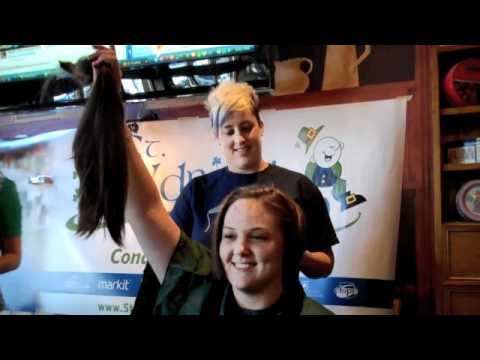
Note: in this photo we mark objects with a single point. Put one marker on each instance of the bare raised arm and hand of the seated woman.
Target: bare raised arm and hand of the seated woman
(156, 232)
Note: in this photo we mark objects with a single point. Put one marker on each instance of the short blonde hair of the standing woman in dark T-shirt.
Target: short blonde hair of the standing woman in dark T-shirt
(231, 96)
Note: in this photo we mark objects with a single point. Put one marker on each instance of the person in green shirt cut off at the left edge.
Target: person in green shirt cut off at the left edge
(10, 228)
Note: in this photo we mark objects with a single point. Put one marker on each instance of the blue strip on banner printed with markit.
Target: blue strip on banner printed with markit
(107, 284)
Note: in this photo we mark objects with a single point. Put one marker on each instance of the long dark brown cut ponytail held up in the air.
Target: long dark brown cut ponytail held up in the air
(99, 152)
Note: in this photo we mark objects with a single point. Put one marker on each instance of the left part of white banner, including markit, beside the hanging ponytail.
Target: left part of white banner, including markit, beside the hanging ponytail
(61, 273)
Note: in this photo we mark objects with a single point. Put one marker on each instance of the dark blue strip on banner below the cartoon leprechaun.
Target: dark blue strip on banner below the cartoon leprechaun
(373, 293)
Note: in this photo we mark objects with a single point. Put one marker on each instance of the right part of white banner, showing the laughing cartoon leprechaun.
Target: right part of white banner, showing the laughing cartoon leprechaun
(354, 154)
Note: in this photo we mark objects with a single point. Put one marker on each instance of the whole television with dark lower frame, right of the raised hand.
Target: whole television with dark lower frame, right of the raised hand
(177, 70)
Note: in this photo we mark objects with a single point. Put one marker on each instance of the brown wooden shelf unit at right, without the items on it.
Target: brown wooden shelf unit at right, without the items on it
(455, 238)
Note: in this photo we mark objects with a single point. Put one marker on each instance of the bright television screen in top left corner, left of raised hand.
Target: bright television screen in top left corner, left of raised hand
(31, 62)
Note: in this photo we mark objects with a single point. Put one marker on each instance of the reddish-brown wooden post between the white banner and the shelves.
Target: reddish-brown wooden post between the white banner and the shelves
(419, 153)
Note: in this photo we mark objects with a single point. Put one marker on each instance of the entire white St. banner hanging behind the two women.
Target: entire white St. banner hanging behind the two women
(353, 152)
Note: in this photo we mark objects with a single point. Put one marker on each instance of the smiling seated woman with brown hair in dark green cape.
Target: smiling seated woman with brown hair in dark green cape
(253, 265)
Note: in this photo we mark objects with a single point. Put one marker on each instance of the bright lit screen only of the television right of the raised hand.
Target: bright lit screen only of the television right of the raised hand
(144, 55)
